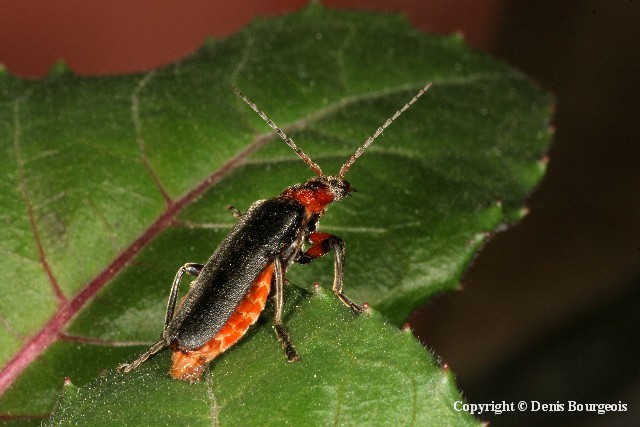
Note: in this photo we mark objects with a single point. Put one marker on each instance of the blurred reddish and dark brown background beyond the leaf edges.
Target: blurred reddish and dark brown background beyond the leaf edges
(550, 310)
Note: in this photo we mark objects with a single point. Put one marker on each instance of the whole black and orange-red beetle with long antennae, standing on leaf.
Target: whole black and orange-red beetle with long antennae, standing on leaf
(230, 290)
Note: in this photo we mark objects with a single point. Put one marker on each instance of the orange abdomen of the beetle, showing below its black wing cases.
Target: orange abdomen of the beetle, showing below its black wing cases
(189, 364)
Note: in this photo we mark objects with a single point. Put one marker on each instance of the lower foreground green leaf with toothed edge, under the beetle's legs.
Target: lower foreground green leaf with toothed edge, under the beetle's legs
(355, 370)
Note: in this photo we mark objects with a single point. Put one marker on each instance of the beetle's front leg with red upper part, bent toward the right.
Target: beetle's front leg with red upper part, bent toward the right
(321, 244)
